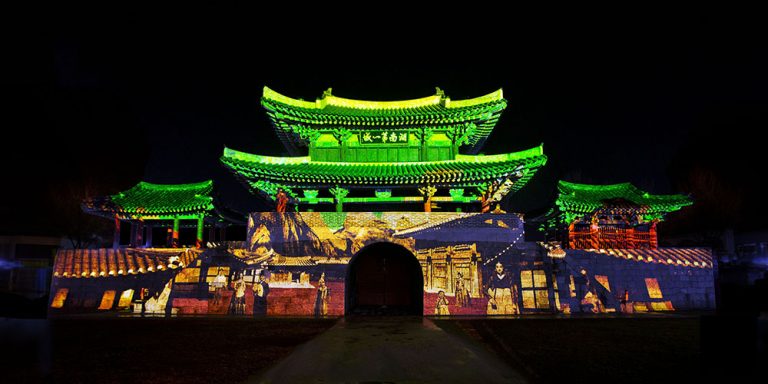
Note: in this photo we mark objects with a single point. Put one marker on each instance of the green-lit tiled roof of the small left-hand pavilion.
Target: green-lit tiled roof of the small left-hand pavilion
(158, 201)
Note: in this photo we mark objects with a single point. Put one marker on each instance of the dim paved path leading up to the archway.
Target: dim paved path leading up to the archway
(389, 350)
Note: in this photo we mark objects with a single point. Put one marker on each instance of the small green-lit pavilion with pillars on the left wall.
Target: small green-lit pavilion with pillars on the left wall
(160, 204)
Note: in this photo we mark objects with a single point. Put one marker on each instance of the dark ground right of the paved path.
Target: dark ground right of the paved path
(646, 349)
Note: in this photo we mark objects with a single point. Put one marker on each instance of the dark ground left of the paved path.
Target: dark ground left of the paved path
(130, 350)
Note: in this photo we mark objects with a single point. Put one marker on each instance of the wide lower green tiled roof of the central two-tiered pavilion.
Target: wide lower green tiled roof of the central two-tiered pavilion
(302, 172)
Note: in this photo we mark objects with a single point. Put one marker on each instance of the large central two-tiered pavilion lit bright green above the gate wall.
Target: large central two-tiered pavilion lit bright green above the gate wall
(413, 151)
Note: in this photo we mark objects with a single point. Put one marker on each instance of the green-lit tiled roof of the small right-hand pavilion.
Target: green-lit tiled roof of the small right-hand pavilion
(584, 198)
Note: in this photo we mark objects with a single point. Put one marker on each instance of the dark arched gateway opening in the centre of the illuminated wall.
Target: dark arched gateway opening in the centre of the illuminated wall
(384, 279)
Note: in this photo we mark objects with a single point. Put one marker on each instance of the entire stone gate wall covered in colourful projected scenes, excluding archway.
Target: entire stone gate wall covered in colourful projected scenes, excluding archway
(332, 264)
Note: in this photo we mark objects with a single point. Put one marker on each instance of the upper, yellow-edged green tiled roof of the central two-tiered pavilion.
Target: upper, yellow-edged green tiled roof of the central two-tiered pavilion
(291, 116)
